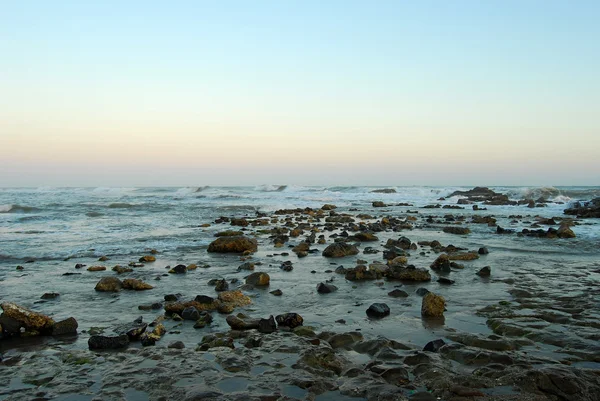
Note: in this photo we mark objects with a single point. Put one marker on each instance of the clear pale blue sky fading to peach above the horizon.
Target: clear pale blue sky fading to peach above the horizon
(149, 93)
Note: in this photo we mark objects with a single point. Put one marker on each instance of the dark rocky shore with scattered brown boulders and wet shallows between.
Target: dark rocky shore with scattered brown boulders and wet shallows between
(395, 268)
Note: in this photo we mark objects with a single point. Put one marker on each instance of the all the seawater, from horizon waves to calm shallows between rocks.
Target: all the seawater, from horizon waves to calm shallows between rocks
(49, 230)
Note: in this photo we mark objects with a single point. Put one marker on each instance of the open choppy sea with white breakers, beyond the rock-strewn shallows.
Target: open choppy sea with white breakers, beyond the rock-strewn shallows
(58, 223)
